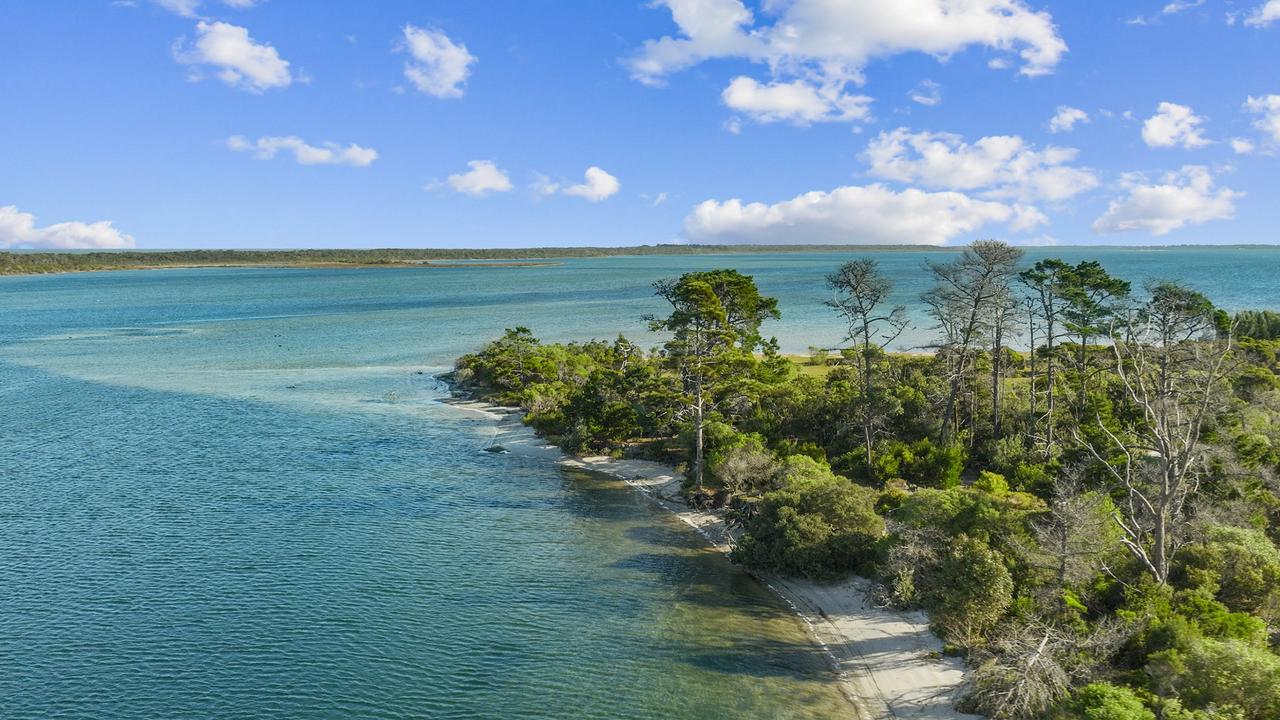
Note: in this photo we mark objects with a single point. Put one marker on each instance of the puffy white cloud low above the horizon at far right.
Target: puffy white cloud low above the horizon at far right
(1180, 199)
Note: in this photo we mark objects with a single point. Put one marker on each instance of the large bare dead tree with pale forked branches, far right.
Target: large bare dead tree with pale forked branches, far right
(1171, 364)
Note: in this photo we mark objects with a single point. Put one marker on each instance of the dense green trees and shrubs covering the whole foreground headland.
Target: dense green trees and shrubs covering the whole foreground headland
(1092, 522)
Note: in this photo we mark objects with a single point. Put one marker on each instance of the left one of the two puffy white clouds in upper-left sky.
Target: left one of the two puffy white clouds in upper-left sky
(239, 60)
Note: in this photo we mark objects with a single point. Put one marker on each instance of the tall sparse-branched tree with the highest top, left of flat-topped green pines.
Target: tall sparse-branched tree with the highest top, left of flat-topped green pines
(963, 300)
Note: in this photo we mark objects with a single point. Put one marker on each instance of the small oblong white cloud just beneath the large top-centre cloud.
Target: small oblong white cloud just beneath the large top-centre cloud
(796, 102)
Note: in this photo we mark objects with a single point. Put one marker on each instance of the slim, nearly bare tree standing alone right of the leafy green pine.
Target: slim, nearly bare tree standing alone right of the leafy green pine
(861, 297)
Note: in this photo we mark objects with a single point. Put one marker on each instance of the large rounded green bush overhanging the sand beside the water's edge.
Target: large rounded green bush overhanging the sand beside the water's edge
(819, 526)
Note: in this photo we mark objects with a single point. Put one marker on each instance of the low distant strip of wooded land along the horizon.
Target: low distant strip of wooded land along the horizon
(31, 263)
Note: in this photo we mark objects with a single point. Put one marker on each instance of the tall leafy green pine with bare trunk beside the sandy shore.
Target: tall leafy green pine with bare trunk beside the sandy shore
(716, 327)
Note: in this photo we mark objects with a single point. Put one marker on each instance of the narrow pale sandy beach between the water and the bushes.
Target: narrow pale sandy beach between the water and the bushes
(889, 663)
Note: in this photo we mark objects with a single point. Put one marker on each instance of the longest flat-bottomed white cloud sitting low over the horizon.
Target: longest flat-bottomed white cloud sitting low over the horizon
(854, 216)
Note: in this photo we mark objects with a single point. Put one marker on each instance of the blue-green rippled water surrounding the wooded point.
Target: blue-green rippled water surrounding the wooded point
(235, 494)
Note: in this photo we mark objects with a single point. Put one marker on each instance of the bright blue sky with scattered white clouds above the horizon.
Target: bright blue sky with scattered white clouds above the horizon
(502, 124)
